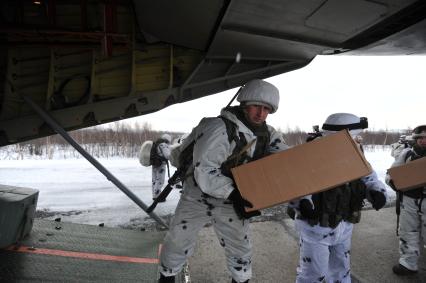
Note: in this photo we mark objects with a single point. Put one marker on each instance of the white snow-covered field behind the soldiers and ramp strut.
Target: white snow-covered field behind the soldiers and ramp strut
(81, 194)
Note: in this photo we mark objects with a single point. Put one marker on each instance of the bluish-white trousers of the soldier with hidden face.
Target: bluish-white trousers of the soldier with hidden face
(324, 253)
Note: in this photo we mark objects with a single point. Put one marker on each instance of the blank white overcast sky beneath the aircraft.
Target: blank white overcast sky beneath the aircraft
(389, 91)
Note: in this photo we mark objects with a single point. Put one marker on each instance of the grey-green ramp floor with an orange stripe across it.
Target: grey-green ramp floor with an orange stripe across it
(66, 252)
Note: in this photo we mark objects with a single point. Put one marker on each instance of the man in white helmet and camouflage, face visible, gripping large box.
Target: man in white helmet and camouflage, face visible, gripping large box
(239, 135)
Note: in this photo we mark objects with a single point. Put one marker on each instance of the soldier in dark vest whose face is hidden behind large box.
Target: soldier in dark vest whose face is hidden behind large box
(325, 220)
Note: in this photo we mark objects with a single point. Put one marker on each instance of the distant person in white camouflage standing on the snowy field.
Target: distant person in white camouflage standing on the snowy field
(160, 154)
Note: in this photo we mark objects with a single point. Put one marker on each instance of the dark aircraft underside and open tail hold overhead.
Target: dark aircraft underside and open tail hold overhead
(92, 62)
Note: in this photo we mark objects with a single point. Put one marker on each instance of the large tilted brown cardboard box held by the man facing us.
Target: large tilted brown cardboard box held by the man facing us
(302, 170)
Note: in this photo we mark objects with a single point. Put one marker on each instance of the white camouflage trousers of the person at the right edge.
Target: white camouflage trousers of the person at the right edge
(412, 230)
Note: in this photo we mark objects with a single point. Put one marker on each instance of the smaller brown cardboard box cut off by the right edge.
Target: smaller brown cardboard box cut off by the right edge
(410, 175)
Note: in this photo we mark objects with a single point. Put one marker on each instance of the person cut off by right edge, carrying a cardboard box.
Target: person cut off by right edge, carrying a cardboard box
(412, 221)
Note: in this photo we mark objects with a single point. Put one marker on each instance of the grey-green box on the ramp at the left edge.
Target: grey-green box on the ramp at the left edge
(17, 209)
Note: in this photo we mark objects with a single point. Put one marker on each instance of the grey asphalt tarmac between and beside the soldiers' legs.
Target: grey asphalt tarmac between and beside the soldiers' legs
(275, 252)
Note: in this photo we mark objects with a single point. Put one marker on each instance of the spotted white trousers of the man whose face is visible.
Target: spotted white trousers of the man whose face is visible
(192, 213)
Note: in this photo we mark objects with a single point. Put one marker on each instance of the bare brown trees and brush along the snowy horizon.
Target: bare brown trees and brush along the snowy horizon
(124, 140)
